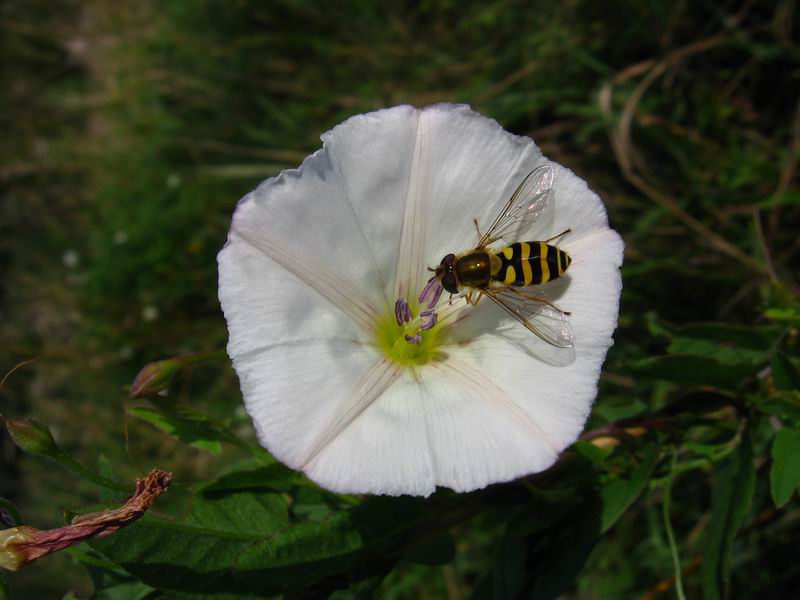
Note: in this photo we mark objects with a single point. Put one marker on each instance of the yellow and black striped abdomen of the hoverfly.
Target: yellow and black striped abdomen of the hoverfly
(530, 263)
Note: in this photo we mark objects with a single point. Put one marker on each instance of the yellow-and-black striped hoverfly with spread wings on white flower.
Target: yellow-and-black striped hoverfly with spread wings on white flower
(498, 273)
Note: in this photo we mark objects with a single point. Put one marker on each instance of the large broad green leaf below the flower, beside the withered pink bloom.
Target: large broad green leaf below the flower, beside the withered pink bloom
(237, 539)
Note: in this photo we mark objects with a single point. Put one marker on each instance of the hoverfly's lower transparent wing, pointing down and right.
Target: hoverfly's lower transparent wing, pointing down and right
(537, 313)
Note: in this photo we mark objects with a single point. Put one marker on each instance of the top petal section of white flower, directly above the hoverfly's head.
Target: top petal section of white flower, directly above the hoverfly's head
(465, 166)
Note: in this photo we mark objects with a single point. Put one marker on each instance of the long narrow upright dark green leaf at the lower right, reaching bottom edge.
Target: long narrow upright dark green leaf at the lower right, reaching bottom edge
(733, 484)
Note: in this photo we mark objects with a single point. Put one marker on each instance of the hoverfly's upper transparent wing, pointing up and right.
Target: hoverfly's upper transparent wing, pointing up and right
(525, 206)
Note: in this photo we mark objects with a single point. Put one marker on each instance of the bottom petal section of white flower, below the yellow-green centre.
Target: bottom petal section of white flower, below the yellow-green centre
(440, 429)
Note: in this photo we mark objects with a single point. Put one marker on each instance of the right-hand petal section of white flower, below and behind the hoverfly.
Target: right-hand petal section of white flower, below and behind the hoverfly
(555, 387)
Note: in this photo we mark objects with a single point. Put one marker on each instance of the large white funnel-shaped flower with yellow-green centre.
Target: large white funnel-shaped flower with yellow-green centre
(314, 263)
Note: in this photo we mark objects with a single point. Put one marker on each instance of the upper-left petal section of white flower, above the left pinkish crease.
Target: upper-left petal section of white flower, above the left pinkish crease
(303, 226)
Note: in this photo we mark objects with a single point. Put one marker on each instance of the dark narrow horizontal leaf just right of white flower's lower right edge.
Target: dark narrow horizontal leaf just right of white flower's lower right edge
(693, 370)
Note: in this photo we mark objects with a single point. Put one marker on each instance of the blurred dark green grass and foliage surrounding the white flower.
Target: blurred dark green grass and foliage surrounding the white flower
(132, 128)
